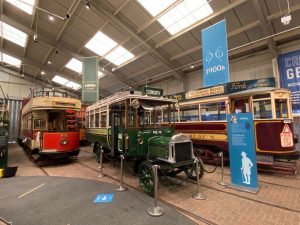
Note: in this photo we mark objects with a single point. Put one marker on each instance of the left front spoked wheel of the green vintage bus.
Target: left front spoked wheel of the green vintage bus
(146, 177)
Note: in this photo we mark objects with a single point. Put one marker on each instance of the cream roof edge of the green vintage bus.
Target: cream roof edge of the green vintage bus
(120, 96)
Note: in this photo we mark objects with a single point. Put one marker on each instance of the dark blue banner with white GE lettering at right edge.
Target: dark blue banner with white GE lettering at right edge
(289, 67)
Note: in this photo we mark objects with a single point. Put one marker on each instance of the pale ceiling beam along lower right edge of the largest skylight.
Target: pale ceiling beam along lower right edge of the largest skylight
(201, 22)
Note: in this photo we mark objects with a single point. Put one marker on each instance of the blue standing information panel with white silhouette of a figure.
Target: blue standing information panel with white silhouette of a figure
(242, 153)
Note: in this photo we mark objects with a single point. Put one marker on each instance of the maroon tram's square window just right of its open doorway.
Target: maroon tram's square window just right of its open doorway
(262, 109)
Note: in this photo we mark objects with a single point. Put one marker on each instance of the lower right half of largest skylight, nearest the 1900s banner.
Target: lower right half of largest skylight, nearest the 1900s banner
(185, 14)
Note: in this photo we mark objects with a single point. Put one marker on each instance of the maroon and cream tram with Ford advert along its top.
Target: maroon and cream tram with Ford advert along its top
(202, 116)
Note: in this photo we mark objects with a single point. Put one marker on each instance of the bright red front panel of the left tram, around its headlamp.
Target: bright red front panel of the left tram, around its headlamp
(52, 141)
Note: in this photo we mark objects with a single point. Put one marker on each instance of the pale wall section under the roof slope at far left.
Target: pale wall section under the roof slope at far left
(15, 87)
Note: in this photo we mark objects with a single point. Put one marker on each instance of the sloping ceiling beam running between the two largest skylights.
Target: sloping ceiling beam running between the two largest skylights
(101, 8)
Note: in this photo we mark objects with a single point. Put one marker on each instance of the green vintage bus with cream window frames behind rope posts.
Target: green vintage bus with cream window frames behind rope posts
(131, 124)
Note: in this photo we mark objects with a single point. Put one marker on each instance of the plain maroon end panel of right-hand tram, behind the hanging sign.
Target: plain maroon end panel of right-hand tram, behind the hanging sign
(268, 136)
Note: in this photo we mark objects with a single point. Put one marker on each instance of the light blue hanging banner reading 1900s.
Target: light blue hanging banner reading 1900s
(215, 55)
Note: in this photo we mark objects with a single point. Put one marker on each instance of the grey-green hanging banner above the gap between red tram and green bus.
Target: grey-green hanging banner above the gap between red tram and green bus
(90, 81)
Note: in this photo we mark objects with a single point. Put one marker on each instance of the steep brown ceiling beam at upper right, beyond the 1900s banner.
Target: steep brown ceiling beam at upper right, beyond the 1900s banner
(264, 26)
